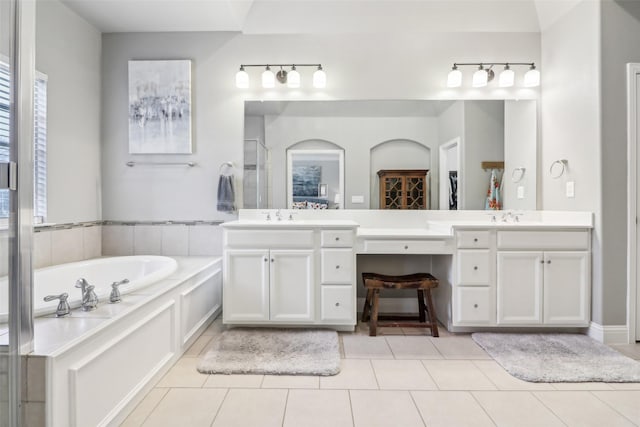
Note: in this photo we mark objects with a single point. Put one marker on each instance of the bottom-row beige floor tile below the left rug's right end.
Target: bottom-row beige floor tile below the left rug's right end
(318, 408)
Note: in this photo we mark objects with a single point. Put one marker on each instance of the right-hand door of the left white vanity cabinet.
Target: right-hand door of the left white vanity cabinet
(292, 287)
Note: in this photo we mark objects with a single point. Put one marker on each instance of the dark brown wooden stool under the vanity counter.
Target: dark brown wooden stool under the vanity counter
(423, 282)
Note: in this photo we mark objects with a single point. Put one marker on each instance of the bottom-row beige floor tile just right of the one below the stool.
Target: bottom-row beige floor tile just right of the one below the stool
(450, 408)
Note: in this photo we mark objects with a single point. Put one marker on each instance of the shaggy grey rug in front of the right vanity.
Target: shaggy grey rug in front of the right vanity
(558, 358)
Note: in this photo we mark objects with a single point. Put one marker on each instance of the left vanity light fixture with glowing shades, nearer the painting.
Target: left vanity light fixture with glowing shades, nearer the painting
(289, 77)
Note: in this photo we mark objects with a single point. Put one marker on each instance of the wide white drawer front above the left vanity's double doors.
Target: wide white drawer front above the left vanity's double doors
(258, 239)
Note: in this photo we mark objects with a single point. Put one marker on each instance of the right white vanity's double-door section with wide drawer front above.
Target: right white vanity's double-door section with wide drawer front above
(543, 278)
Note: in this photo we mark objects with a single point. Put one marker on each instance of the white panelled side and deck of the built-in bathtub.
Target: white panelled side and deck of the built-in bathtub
(93, 367)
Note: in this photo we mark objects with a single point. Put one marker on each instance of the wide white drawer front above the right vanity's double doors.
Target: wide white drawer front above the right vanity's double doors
(543, 240)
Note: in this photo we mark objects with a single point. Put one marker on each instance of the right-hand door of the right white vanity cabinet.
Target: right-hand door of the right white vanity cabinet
(566, 288)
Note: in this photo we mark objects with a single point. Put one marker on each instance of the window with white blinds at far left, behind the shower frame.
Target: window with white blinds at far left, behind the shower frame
(40, 141)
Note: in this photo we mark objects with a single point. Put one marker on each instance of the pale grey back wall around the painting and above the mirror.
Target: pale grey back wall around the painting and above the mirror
(162, 193)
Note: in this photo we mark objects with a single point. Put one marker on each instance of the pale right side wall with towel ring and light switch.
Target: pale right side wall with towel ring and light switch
(570, 123)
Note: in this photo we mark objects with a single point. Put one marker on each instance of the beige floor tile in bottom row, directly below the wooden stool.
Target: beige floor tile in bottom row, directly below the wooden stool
(384, 409)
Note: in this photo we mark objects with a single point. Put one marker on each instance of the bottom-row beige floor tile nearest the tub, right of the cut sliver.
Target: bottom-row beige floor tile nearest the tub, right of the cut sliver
(186, 407)
